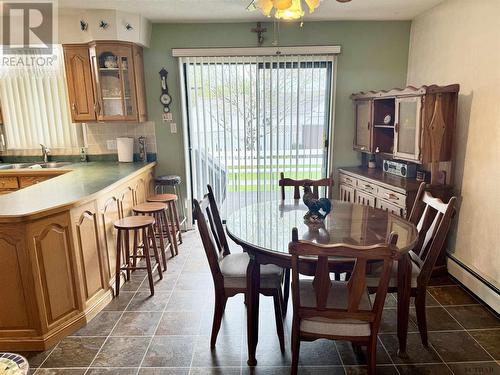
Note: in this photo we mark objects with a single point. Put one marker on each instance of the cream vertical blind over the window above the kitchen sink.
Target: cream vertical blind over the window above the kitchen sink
(35, 106)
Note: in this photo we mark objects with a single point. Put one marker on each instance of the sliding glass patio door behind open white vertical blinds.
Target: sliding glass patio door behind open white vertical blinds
(250, 118)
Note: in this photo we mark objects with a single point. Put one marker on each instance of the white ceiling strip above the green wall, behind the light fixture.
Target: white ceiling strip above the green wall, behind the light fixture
(235, 10)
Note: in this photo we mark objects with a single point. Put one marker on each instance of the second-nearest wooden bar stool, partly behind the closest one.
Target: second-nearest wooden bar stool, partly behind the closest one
(157, 211)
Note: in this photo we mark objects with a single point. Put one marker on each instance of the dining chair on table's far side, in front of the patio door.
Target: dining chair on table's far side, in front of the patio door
(297, 184)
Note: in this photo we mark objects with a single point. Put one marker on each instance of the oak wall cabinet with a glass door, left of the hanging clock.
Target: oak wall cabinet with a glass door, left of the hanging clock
(105, 81)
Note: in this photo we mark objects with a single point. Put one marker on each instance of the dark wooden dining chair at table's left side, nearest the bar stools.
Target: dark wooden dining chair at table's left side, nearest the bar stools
(229, 270)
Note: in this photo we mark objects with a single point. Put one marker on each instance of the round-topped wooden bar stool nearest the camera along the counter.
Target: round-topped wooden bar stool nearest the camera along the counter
(144, 224)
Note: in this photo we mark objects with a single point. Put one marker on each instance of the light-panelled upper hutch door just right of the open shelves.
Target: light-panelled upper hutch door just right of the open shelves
(407, 128)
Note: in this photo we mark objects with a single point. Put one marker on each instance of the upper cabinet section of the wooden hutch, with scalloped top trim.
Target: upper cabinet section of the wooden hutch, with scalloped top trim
(399, 122)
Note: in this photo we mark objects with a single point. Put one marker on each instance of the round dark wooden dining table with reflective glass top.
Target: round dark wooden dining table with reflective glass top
(264, 230)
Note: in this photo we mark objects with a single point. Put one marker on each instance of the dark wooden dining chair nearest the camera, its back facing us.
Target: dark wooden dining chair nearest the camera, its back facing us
(338, 310)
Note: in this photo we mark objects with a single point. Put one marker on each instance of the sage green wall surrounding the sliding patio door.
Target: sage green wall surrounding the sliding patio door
(374, 56)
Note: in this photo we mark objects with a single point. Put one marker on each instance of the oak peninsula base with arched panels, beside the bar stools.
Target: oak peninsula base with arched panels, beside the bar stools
(58, 263)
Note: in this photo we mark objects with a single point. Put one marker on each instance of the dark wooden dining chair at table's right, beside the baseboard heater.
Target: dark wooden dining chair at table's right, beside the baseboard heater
(432, 218)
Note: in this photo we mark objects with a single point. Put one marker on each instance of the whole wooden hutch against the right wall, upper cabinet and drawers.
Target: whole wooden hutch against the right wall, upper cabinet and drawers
(414, 125)
